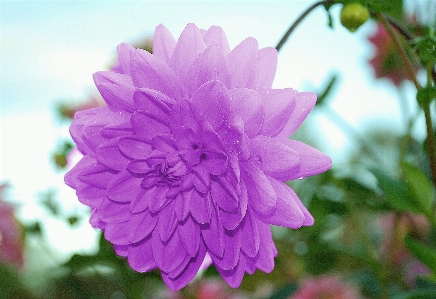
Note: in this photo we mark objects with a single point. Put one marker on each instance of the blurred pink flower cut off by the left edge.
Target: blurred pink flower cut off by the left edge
(11, 234)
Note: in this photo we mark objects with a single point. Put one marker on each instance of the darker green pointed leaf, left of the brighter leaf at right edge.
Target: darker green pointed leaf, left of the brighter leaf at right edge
(396, 192)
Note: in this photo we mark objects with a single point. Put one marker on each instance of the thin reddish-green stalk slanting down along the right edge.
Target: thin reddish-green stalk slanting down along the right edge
(409, 68)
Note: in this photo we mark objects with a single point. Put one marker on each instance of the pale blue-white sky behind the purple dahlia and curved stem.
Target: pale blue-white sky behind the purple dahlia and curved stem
(50, 49)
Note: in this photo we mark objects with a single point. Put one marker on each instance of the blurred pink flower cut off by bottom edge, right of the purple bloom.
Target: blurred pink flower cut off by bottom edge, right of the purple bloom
(325, 287)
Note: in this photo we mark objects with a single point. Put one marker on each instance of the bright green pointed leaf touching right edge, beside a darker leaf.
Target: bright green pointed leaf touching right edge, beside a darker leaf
(421, 189)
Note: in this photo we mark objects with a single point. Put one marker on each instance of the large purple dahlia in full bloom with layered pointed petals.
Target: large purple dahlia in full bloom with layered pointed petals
(190, 156)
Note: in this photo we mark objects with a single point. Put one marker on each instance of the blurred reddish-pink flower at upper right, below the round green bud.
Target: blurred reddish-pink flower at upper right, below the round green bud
(387, 62)
